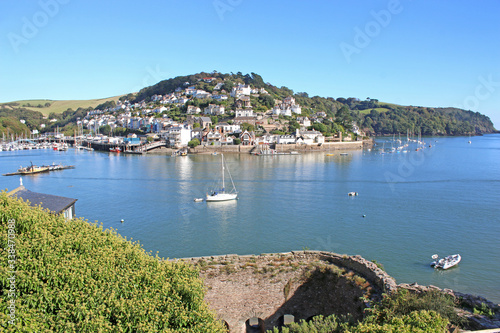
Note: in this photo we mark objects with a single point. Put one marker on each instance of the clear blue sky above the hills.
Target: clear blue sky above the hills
(427, 53)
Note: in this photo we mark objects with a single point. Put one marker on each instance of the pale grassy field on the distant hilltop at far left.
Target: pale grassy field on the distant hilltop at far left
(60, 106)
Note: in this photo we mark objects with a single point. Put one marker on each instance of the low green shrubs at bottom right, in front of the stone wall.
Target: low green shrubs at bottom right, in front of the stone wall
(401, 312)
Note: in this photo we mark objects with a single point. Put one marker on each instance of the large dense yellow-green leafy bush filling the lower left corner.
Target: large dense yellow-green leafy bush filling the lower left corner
(73, 276)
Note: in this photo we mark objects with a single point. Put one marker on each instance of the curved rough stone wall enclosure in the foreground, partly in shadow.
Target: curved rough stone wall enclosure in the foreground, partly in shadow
(299, 283)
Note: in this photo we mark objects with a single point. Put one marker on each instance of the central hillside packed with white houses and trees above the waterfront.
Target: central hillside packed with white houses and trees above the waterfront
(217, 109)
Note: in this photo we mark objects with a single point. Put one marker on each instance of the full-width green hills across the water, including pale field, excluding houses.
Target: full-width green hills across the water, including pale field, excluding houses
(332, 114)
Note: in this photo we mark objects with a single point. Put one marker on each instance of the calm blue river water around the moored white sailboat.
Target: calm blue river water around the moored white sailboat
(444, 199)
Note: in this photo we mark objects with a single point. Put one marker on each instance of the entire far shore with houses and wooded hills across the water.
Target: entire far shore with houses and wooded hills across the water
(235, 109)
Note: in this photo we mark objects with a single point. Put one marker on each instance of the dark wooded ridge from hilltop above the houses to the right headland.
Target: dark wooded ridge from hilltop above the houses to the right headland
(372, 116)
